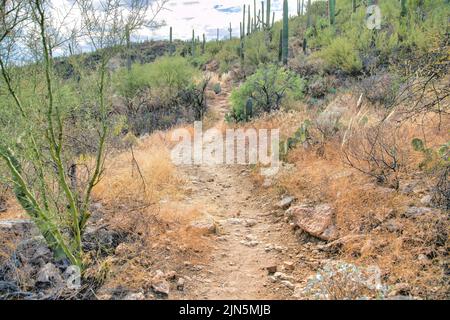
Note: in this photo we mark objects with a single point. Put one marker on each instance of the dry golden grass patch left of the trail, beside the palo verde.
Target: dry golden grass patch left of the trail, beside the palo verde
(152, 215)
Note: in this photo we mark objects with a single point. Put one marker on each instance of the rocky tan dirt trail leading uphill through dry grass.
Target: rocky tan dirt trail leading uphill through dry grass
(250, 237)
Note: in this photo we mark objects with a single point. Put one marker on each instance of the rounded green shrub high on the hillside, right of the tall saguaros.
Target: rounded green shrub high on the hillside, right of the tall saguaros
(342, 55)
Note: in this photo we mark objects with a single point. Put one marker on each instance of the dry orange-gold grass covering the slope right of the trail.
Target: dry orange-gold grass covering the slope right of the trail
(413, 254)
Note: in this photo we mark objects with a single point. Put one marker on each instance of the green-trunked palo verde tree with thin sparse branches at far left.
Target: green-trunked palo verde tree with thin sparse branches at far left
(36, 148)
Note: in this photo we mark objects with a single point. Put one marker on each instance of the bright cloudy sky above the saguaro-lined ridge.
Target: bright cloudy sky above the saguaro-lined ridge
(204, 16)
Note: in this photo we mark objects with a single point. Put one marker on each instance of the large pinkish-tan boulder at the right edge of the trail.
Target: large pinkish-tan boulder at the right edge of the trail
(317, 221)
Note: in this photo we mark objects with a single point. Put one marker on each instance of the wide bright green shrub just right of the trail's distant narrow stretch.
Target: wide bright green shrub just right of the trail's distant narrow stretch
(266, 88)
